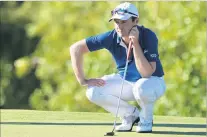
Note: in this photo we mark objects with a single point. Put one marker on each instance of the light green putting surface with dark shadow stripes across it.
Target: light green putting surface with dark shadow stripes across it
(31, 123)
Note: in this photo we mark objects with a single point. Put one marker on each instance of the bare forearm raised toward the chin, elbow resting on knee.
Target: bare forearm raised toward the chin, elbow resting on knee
(144, 67)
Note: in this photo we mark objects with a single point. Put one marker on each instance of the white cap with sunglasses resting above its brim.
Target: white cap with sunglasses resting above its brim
(124, 11)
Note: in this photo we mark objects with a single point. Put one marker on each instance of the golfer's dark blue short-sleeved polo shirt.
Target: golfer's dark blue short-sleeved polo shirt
(113, 43)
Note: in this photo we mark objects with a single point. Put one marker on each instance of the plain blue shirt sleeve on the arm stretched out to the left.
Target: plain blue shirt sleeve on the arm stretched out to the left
(100, 41)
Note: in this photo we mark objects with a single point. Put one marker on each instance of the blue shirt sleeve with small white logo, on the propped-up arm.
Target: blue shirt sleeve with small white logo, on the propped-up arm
(151, 46)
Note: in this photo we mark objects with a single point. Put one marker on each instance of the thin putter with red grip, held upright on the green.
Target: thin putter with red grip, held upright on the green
(122, 85)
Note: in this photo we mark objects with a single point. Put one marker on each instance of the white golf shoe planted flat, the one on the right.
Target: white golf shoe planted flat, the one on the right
(144, 127)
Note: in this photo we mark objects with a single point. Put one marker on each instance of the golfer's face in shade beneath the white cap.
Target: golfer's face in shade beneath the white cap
(123, 27)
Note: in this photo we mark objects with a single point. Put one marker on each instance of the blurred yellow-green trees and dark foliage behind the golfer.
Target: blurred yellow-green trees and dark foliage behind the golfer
(36, 71)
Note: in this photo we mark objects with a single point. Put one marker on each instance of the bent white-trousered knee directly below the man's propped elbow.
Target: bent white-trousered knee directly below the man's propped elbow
(143, 91)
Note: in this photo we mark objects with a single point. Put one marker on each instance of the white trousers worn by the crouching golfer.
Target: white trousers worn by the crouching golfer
(145, 92)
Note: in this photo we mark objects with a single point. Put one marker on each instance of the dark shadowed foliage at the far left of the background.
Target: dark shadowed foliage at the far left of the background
(17, 76)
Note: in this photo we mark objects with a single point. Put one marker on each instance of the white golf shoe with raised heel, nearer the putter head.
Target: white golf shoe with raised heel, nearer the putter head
(128, 122)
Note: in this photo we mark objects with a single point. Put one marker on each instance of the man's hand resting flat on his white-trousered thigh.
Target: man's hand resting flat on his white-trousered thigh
(93, 82)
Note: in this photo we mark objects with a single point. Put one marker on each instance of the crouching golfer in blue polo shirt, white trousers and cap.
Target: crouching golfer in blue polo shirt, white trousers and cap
(144, 82)
